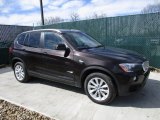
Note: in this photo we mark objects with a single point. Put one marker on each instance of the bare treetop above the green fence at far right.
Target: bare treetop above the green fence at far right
(151, 9)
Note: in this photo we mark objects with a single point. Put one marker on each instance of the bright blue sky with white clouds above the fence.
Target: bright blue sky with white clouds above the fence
(27, 12)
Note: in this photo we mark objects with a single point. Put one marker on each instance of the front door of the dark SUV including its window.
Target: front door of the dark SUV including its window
(55, 65)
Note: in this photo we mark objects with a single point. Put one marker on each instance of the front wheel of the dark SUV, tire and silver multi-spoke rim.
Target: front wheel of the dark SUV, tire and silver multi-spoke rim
(102, 92)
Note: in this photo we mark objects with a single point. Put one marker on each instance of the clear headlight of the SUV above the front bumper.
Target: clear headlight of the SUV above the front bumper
(128, 67)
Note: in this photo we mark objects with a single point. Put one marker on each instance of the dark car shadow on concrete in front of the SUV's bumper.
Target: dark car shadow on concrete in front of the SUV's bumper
(148, 97)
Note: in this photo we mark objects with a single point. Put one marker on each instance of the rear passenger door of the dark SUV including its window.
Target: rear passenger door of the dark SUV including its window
(33, 52)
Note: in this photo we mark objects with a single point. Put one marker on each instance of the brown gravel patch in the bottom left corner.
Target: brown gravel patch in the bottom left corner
(9, 111)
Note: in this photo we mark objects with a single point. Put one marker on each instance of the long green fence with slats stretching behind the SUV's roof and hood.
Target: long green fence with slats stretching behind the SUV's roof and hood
(140, 33)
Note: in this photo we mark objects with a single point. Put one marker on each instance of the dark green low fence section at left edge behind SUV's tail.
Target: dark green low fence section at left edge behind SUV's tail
(4, 57)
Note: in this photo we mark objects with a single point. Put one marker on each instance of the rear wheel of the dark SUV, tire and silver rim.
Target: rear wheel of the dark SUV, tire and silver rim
(20, 72)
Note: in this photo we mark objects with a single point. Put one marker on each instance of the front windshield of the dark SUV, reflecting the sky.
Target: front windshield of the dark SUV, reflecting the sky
(81, 40)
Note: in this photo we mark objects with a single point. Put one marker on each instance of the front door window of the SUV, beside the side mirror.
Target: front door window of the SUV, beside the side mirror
(51, 40)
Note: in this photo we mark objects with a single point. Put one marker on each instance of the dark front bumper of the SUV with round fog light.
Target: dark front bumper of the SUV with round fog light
(126, 84)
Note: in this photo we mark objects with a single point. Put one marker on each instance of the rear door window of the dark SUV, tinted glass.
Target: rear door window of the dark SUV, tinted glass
(34, 39)
